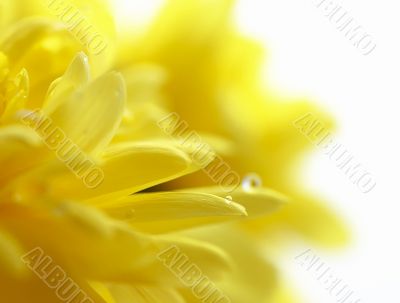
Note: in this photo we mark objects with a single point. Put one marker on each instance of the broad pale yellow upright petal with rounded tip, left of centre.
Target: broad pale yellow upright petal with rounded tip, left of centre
(89, 117)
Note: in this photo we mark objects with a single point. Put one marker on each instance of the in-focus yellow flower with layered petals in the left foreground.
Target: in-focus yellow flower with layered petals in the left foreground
(93, 233)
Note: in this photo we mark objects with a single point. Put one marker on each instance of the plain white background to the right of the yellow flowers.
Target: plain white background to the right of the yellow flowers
(308, 56)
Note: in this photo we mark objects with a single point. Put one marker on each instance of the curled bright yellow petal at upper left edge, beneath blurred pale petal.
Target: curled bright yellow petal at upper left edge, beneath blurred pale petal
(34, 43)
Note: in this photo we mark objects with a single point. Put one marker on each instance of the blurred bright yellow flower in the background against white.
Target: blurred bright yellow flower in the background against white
(211, 78)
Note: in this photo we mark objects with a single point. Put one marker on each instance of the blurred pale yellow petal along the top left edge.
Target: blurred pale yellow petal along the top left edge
(84, 19)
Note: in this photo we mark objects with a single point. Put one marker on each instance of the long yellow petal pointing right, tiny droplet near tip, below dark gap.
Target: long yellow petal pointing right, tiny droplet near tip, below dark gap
(164, 212)
